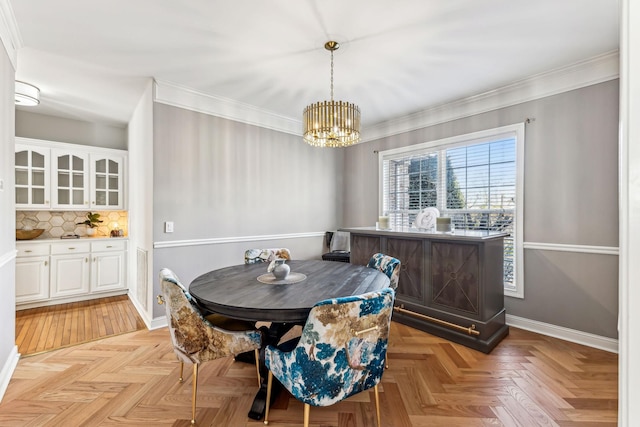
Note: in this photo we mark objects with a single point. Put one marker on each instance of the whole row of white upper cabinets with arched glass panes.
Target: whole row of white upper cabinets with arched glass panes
(55, 175)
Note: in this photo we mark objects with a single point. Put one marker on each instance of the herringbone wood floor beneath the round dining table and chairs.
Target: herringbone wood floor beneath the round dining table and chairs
(132, 380)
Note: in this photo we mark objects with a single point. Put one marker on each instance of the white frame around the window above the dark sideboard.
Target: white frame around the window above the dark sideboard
(511, 131)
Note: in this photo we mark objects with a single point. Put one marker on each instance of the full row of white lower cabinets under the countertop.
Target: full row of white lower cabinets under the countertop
(52, 272)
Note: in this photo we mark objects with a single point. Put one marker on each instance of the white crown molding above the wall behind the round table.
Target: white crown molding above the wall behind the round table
(183, 97)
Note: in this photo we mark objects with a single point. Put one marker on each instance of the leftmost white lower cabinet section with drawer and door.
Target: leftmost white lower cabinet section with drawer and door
(32, 273)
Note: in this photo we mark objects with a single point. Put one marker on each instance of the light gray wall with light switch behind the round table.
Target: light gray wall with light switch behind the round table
(216, 178)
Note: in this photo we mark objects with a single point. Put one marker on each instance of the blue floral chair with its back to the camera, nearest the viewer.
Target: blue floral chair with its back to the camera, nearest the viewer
(341, 352)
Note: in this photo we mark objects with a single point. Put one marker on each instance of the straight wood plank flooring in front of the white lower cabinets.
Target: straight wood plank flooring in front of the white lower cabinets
(57, 326)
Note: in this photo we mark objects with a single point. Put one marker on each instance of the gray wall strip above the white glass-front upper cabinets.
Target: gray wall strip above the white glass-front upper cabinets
(40, 126)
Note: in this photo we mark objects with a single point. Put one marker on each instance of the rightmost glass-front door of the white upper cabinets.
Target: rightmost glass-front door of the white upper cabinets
(107, 182)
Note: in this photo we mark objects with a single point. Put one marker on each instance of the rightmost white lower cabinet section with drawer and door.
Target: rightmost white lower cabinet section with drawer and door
(107, 265)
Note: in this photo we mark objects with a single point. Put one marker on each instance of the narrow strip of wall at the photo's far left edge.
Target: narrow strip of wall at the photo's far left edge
(7, 216)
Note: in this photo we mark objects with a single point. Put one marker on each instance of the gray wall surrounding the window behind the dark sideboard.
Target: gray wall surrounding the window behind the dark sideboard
(571, 198)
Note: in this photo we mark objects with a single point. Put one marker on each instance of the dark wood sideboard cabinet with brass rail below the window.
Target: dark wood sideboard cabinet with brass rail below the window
(451, 285)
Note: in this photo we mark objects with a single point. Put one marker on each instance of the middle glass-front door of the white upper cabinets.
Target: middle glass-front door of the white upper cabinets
(70, 179)
